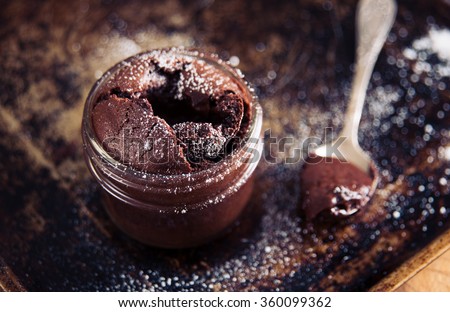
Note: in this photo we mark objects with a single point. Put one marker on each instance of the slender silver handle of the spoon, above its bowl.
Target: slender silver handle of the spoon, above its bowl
(374, 19)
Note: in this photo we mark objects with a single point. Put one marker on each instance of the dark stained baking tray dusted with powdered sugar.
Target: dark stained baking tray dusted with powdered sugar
(54, 232)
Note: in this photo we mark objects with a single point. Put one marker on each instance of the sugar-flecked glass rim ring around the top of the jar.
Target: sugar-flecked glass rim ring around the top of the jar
(117, 170)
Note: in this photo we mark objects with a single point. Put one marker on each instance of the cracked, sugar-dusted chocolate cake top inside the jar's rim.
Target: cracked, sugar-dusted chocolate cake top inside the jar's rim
(169, 113)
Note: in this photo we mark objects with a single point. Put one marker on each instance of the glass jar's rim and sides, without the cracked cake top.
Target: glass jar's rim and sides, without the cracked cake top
(176, 210)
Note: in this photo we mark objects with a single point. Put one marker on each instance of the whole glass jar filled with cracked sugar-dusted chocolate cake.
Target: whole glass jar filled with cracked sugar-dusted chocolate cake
(177, 125)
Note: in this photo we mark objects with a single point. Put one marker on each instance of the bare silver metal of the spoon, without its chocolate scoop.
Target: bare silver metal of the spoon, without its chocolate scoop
(374, 19)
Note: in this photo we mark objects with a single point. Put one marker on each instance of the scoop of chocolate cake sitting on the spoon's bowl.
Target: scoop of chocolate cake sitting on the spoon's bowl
(332, 185)
